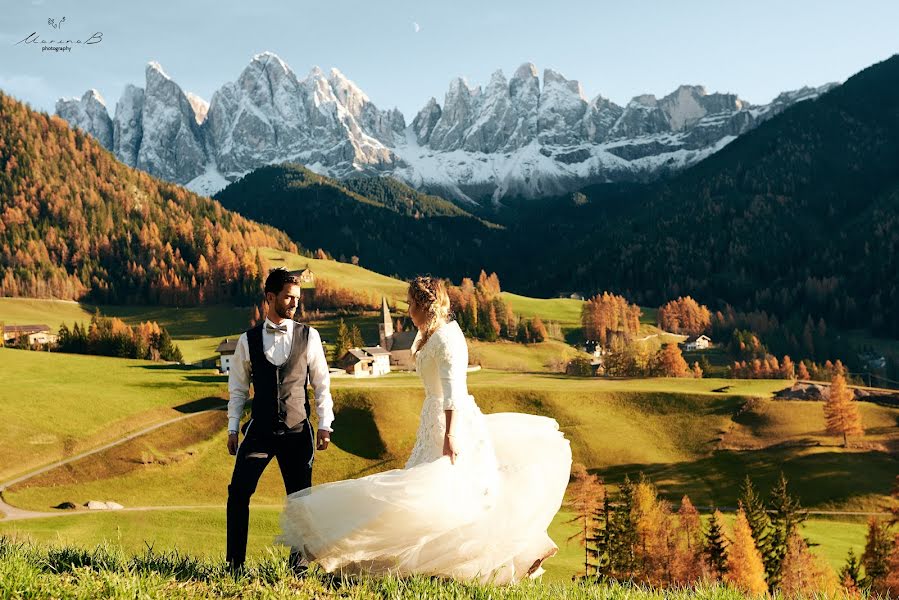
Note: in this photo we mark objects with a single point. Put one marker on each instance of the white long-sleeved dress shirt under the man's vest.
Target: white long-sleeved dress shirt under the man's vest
(277, 348)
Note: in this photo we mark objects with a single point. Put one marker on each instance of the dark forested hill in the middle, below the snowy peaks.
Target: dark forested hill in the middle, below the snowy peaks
(390, 227)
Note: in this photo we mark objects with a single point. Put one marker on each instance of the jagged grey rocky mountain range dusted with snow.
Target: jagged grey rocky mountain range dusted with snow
(516, 137)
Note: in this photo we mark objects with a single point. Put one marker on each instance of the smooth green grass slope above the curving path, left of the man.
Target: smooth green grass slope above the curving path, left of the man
(58, 405)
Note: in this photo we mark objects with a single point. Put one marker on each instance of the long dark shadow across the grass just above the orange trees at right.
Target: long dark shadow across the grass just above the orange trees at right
(831, 478)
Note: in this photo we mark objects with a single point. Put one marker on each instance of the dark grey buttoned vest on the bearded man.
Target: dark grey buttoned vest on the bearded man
(279, 401)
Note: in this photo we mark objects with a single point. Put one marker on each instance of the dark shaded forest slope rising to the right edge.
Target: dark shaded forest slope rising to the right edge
(798, 216)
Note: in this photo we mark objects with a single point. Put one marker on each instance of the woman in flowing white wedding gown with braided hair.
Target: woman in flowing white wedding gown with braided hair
(475, 498)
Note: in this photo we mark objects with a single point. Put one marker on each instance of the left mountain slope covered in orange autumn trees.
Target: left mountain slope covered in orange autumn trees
(75, 223)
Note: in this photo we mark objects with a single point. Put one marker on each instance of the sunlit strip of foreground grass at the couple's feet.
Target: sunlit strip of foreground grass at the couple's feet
(29, 570)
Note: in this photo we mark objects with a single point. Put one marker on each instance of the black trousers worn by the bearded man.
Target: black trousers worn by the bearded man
(294, 450)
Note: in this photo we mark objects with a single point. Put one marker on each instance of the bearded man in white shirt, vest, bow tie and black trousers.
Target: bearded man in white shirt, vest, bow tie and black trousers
(279, 356)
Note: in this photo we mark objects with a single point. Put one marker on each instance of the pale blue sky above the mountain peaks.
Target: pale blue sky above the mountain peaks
(403, 52)
